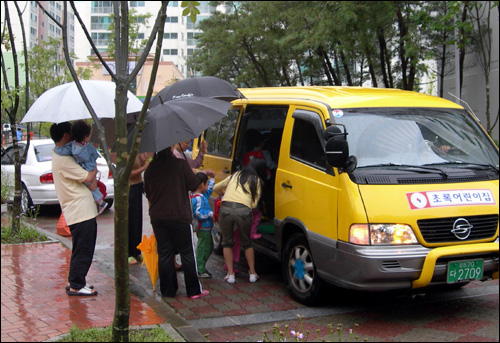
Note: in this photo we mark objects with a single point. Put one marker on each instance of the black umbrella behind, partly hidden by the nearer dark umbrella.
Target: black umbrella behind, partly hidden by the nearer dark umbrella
(205, 87)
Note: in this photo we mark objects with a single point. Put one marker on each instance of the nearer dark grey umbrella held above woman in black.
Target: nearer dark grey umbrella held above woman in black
(180, 120)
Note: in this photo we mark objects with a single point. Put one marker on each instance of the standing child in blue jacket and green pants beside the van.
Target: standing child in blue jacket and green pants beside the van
(204, 214)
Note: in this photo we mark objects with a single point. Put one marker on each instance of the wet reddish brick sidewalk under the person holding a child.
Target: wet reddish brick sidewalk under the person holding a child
(35, 306)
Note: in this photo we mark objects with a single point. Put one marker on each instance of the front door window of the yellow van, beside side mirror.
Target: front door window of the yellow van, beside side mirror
(305, 145)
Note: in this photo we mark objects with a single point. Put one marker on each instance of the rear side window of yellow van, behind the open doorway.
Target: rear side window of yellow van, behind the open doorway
(220, 135)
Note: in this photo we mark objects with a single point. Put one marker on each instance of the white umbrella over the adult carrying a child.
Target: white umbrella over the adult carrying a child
(64, 103)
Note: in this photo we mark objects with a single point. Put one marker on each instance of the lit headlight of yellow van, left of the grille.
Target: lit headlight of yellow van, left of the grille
(381, 234)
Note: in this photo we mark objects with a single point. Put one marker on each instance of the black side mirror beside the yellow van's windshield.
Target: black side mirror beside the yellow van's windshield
(337, 149)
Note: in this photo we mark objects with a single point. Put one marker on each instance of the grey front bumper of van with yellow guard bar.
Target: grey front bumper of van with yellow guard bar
(382, 268)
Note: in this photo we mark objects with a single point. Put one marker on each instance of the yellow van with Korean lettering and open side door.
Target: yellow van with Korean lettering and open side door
(368, 189)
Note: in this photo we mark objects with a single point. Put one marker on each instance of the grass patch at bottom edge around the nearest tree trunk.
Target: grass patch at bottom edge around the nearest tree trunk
(156, 334)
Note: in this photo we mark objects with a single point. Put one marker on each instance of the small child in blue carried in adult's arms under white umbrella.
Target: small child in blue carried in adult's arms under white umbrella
(85, 155)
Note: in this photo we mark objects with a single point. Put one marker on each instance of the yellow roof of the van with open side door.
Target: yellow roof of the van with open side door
(350, 97)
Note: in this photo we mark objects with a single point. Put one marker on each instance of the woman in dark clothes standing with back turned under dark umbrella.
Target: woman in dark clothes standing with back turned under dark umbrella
(167, 182)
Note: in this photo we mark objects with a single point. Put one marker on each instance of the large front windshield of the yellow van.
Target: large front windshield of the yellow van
(415, 136)
